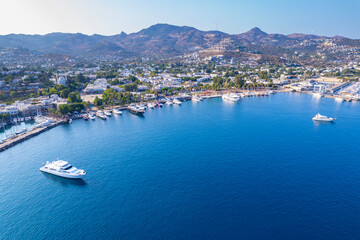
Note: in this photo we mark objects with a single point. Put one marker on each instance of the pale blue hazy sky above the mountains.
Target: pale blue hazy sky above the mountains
(108, 17)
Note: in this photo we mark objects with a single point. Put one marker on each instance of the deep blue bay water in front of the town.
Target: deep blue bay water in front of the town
(256, 169)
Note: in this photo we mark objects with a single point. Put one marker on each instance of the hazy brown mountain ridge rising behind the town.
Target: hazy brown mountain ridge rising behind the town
(157, 40)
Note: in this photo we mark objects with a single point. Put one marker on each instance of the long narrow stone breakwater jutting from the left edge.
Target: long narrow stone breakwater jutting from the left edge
(27, 135)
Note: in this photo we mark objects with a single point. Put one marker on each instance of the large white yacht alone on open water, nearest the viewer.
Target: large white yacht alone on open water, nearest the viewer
(62, 169)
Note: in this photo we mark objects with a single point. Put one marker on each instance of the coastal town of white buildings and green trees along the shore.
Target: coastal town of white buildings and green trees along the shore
(55, 95)
